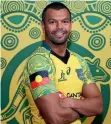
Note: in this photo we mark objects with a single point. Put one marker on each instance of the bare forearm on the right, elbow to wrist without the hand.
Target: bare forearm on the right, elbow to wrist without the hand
(88, 106)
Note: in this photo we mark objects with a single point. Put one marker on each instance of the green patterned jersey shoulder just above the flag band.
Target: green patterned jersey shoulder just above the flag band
(39, 60)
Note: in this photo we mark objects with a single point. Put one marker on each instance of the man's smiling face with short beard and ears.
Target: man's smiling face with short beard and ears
(57, 26)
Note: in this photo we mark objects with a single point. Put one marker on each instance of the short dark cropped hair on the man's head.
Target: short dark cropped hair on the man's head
(54, 5)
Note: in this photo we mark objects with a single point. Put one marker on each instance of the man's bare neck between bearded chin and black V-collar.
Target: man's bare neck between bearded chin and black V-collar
(58, 49)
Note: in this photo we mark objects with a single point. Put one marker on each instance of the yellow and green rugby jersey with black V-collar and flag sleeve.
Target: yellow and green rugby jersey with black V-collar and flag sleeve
(45, 73)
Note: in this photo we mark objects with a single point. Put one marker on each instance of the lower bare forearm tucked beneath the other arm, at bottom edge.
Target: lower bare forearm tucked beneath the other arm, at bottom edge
(61, 116)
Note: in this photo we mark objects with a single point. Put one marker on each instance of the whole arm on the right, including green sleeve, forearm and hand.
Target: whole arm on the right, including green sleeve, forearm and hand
(92, 103)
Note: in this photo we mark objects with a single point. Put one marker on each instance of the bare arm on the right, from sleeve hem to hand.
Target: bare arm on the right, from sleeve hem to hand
(91, 104)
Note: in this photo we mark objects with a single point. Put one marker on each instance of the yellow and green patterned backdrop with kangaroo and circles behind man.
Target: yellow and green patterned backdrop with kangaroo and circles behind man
(22, 34)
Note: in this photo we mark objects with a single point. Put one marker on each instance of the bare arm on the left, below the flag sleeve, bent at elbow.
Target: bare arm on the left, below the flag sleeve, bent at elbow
(52, 112)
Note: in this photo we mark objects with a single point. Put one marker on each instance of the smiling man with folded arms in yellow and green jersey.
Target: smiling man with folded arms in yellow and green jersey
(54, 73)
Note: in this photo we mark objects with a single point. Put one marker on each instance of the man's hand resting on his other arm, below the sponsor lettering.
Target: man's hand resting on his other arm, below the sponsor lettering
(66, 102)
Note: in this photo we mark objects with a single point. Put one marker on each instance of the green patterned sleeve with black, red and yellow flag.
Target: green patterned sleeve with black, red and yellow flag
(41, 76)
